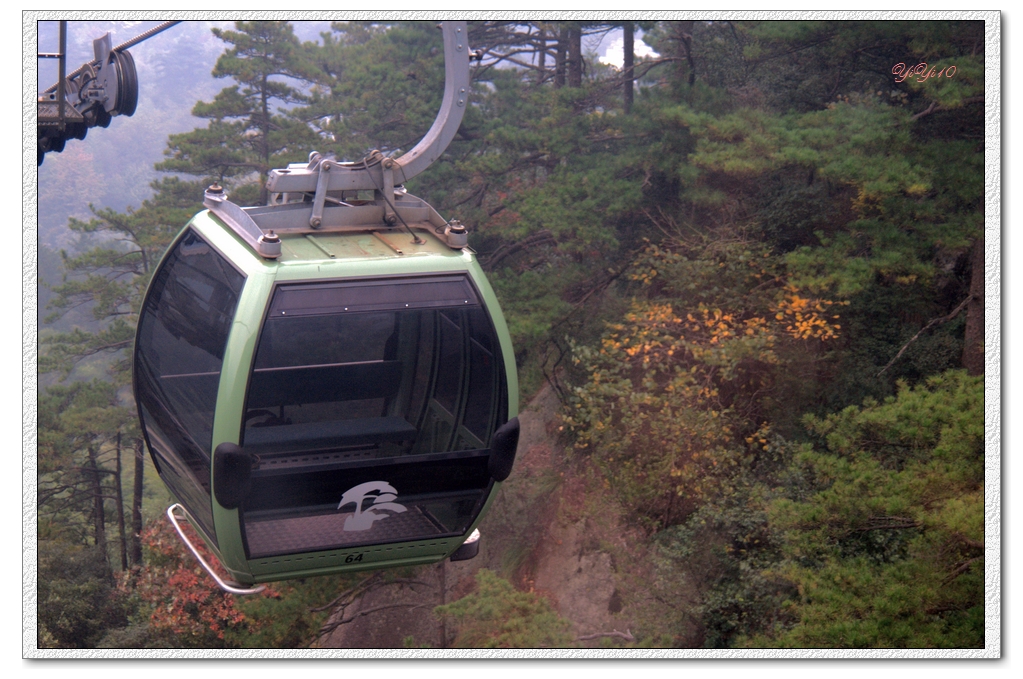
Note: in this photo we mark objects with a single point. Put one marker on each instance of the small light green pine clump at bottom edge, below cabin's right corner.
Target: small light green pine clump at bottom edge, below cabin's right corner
(498, 616)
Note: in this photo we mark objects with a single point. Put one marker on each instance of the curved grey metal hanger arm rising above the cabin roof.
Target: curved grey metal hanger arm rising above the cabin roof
(453, 108)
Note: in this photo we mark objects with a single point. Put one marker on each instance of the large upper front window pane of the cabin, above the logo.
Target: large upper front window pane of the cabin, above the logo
(398, 381)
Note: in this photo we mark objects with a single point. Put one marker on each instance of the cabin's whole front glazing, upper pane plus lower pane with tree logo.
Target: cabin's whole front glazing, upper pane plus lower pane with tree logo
(386, 390)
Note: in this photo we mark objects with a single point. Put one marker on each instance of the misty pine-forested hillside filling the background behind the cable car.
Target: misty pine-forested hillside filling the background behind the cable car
(744, 276)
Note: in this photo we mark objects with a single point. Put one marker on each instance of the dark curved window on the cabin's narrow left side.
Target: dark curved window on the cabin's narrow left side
(183, 335)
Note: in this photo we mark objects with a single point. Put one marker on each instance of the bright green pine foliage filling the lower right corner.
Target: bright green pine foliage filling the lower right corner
(887, 548)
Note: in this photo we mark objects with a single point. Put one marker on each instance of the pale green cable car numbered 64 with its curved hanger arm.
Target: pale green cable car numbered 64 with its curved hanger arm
(327, 383)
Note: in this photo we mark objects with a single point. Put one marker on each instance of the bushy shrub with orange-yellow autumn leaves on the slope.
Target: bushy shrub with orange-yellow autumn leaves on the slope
(676, 396)
